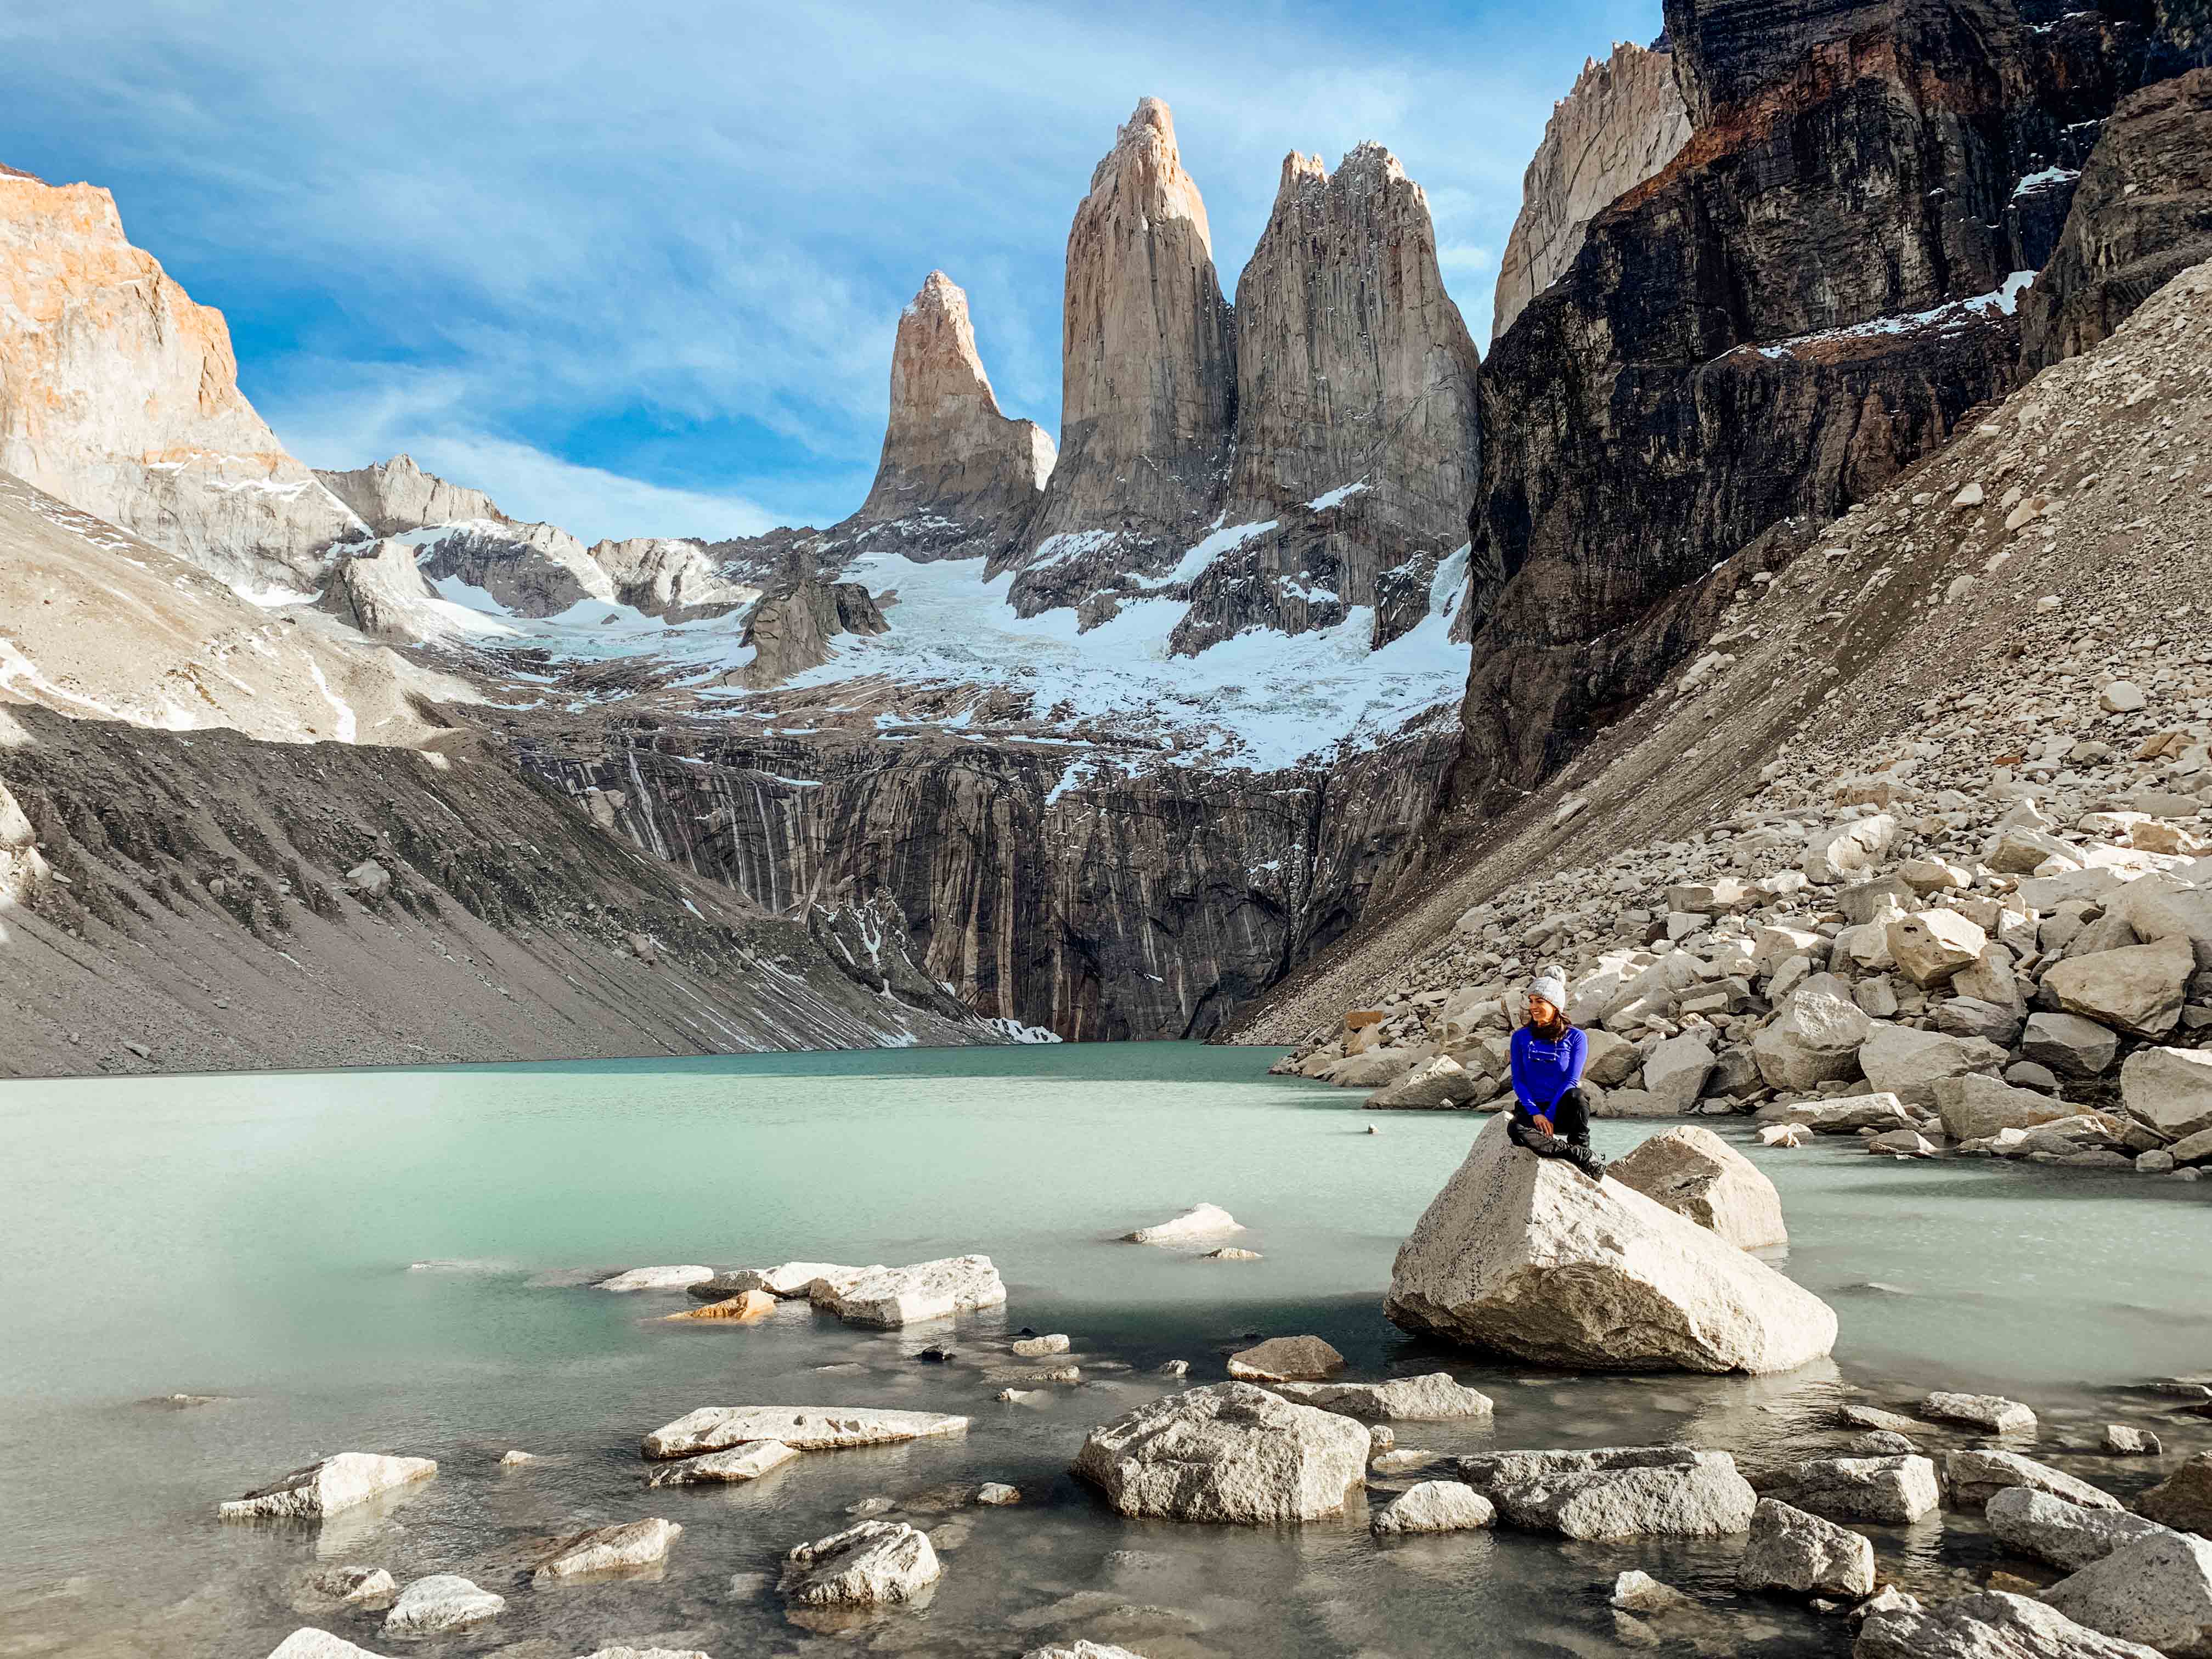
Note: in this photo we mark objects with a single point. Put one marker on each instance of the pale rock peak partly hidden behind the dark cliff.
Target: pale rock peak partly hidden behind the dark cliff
(1618, 127)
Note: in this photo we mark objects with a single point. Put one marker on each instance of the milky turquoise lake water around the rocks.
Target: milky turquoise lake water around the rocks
(251, 1238)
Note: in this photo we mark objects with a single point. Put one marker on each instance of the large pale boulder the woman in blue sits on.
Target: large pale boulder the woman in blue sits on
(1532, 1258)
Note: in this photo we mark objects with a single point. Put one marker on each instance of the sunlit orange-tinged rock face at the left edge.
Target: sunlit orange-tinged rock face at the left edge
(121, 397)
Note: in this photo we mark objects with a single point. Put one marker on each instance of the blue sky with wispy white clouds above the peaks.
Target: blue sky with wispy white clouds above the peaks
(636, 269)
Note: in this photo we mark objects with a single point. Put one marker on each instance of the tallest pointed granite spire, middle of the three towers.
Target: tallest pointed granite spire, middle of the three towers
(1149, 373)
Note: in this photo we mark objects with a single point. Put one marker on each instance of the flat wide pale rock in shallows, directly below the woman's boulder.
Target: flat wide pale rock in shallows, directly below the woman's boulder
(1618, 1492)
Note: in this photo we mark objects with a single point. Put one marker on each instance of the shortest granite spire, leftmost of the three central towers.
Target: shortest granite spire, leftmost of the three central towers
(957, 466)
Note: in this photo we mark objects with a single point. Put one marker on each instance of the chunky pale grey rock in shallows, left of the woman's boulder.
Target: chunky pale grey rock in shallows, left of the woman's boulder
(1227, 1454)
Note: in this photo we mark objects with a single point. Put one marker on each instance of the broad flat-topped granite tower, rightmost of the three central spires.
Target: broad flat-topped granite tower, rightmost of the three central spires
(1357, 432)
